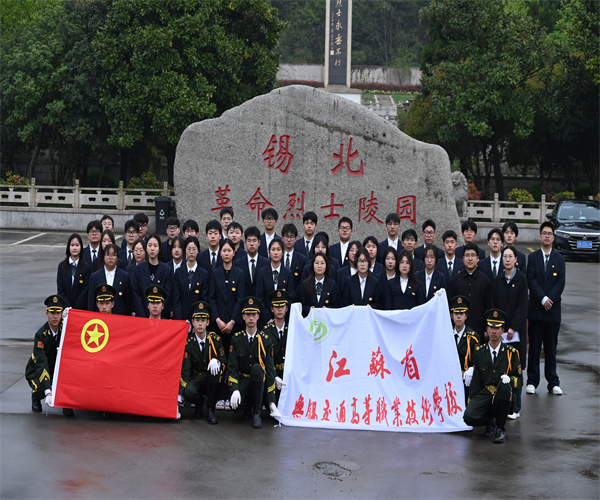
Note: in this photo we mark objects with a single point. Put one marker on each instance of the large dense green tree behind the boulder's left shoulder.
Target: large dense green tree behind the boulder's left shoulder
(164, 64)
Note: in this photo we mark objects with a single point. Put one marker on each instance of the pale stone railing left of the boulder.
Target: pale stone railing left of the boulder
(76, 197)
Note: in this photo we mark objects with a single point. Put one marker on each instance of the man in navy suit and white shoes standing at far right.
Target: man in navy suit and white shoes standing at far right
(546, 280)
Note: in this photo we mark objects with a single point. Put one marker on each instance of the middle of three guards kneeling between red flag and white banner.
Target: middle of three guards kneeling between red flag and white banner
(250, 365)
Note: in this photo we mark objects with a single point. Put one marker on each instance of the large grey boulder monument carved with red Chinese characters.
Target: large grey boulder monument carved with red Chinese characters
(299, 149)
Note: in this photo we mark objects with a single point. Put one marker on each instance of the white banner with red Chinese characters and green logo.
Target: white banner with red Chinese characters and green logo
(359, 368)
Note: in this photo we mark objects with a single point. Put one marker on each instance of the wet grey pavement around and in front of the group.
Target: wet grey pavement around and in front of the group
(552, 451)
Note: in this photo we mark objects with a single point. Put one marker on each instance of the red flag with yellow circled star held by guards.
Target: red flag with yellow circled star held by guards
(119, 364)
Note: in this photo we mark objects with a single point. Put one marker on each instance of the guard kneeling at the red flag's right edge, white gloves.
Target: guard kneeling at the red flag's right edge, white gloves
(203, 363)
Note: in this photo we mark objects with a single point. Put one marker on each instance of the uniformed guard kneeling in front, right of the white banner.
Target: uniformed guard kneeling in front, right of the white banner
(496, 373)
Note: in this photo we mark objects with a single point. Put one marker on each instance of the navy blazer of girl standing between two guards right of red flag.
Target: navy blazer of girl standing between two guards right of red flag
(225, 298)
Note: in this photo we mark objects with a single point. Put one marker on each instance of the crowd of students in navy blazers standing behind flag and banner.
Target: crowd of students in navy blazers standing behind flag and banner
(396, 273)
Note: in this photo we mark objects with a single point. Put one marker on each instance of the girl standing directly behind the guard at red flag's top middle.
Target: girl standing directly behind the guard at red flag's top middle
(151, 272)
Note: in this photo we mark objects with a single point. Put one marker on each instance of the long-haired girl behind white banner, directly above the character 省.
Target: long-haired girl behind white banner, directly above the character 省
(404, 291)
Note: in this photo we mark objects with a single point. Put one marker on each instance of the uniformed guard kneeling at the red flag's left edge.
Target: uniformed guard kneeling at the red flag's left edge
(40, 367)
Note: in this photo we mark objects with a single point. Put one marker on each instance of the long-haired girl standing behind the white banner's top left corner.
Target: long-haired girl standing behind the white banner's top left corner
(319, 289)
